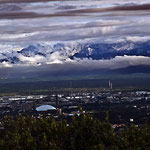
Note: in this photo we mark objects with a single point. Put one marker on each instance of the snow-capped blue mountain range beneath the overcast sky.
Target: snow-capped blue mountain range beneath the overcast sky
(40, 54)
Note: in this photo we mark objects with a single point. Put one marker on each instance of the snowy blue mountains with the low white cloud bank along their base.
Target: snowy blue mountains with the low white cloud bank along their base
(86, 56)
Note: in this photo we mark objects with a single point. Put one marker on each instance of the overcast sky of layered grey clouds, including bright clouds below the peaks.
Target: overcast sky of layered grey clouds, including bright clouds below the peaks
(26, 22)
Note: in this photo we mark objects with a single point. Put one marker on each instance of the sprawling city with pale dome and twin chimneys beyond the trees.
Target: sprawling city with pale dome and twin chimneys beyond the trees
(124, 106)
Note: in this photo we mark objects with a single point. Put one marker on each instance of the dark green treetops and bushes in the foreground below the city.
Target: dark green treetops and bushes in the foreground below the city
(83, 133)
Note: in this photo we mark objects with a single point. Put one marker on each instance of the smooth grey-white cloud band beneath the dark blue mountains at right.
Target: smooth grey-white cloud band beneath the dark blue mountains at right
(115, 63)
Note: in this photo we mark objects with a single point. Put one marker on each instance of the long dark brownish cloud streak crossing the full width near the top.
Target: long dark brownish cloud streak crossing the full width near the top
(77, 12)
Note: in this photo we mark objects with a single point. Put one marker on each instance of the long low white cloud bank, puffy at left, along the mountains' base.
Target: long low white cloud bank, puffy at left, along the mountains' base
(89, 64)
